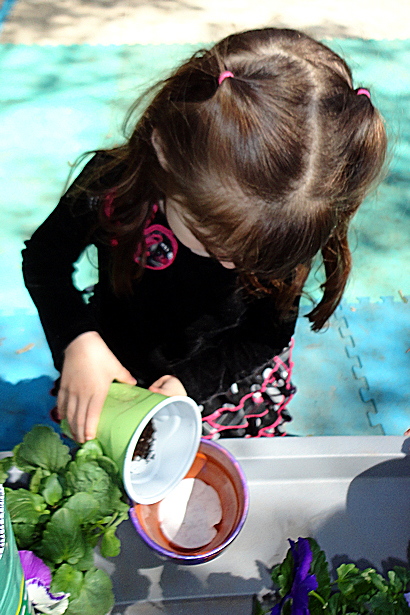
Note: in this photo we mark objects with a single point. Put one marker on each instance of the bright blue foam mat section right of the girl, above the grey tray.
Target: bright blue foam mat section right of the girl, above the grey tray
(354, 377)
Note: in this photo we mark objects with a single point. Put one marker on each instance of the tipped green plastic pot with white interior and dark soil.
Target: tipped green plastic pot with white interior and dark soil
(177, 433)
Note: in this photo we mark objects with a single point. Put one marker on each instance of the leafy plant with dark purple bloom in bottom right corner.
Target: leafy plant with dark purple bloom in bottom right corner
(353, 592)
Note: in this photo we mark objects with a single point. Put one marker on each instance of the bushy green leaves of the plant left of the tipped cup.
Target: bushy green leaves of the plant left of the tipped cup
(69, 506)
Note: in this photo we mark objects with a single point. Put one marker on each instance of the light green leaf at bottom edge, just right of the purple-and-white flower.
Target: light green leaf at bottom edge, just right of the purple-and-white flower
(95, 596)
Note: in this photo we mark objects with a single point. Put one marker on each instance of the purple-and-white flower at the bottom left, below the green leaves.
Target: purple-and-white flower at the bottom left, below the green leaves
(38, 580)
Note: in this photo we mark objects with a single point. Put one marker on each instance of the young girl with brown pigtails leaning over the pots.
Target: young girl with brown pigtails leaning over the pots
(250, 159)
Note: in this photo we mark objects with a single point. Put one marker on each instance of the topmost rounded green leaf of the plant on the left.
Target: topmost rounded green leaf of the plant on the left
(42, 447)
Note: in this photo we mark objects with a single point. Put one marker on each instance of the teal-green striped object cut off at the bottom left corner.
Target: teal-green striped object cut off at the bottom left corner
(13, 594)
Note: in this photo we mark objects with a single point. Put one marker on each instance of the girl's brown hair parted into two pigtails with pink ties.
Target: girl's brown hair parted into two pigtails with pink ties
(269, 166)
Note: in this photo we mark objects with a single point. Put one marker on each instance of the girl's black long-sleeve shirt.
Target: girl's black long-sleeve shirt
(190, 319)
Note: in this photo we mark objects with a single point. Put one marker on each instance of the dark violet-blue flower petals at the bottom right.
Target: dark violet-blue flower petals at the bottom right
(303, 582)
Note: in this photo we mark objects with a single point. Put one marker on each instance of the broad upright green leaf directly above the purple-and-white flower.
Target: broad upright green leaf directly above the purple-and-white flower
(63, 540)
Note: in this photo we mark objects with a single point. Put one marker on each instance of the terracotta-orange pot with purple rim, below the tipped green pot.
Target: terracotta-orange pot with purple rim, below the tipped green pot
(215, 466)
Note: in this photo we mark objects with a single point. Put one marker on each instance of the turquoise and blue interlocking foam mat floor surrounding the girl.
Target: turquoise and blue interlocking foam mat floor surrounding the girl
(353, 378)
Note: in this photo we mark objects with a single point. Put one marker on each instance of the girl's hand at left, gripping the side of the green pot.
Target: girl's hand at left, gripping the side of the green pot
(89, 369)
